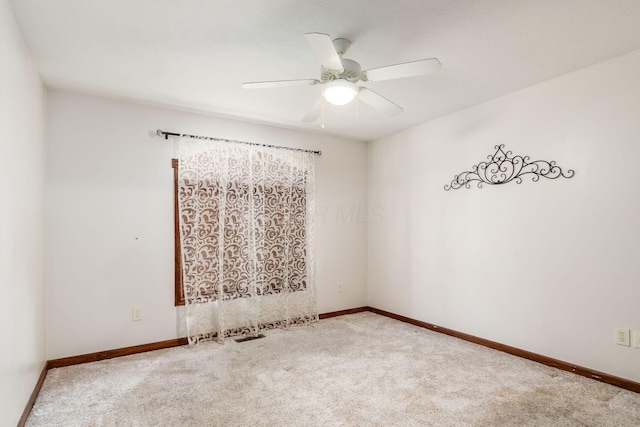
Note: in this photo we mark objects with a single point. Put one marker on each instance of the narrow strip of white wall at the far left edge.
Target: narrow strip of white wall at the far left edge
(22, 354)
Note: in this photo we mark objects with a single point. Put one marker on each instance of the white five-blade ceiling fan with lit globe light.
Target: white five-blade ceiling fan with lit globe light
(339, 76)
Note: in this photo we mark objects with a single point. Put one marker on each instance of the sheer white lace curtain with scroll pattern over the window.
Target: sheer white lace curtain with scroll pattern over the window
(246, 232)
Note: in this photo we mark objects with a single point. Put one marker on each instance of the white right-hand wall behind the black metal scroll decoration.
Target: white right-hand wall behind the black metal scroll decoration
(551, 266)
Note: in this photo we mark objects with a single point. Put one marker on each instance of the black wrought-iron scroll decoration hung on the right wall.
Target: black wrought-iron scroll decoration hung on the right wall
(503, 167)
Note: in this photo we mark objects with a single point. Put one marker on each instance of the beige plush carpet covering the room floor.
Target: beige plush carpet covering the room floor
(356, 370)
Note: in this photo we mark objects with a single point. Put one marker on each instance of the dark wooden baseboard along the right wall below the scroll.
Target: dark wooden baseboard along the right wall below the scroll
(559, 364)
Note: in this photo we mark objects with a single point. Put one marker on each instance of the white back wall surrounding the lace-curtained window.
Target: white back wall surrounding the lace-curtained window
(110, 219)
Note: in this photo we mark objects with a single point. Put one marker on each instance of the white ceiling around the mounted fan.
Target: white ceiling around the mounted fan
(195, 54)
